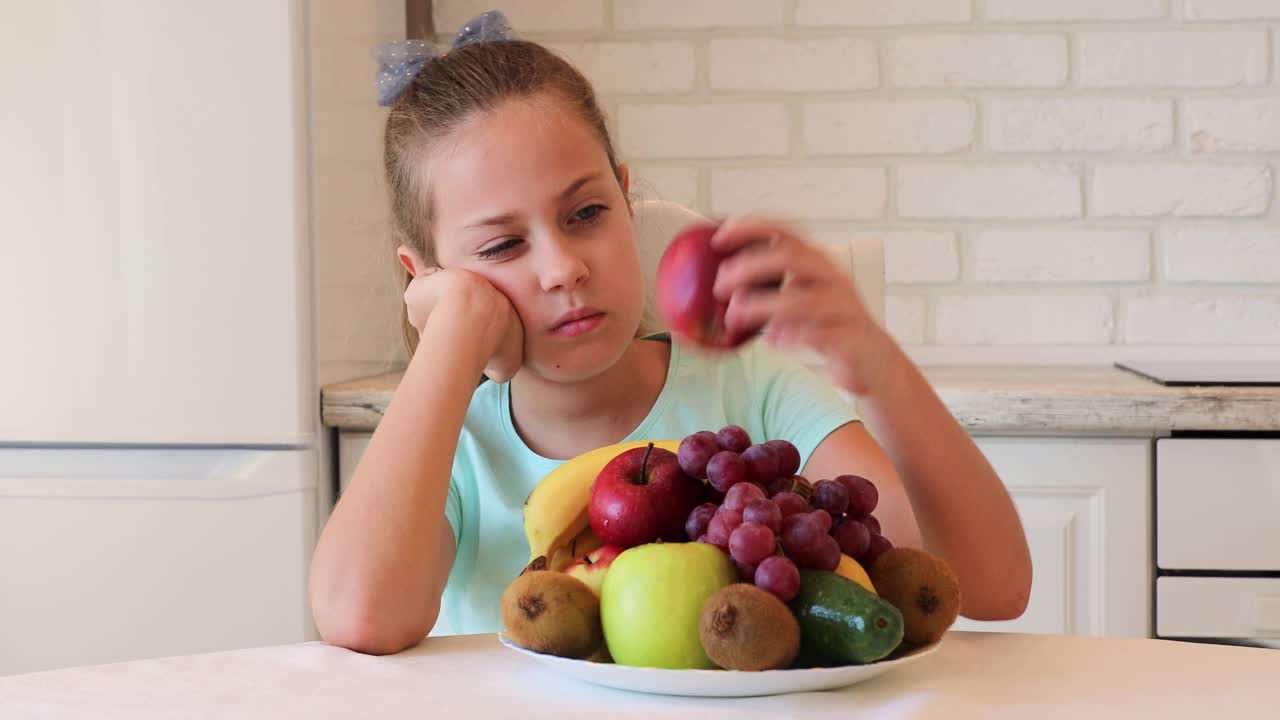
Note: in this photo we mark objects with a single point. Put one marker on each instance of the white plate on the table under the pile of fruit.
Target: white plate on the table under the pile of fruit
(719, 683)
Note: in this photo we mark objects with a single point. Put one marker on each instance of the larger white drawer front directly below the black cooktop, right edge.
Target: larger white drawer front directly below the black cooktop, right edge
(1217, 504)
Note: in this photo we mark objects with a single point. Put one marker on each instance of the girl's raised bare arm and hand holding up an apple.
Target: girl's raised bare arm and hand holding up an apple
(938, 489)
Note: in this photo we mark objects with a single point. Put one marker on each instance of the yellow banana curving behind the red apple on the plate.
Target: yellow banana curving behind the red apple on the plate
(556, 511)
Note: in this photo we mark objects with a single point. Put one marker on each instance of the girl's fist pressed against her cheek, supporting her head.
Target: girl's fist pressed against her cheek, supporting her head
(488, 318)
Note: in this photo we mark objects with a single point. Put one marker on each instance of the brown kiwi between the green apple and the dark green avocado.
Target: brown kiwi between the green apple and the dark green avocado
(747, 628)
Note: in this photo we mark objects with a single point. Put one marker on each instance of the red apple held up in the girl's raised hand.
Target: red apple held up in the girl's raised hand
(687, 276)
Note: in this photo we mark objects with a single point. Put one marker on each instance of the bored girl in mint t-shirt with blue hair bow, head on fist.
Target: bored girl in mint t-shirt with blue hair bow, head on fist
(518, 236)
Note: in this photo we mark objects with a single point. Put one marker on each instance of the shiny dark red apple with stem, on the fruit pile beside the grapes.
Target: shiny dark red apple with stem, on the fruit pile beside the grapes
(643, 496)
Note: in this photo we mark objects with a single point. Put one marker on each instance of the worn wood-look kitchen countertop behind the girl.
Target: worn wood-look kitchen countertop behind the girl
(991, 400)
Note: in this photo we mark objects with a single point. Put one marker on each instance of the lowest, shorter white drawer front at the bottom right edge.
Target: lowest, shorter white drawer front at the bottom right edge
(1218, 608)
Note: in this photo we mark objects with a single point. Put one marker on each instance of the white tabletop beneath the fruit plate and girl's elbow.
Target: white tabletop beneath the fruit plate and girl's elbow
(972, 676)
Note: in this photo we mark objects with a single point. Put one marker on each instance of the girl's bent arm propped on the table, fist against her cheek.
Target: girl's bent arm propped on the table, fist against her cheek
(386, 553)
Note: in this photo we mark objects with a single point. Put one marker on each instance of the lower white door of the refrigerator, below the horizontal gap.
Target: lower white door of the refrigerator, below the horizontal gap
(111, 555)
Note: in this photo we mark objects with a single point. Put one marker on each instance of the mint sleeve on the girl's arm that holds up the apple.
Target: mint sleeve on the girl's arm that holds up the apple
(798, 403)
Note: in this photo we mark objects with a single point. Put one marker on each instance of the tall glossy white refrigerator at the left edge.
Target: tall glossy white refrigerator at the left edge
(159, 416)
